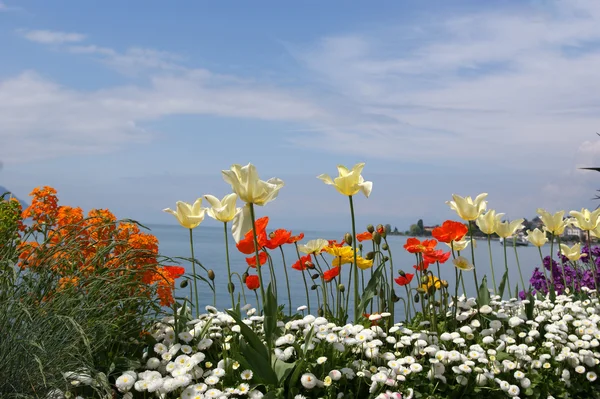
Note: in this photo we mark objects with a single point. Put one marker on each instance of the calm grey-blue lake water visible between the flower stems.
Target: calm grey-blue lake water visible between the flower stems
(209, 247)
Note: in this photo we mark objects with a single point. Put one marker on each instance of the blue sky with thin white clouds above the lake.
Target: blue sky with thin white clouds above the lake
(134, 105)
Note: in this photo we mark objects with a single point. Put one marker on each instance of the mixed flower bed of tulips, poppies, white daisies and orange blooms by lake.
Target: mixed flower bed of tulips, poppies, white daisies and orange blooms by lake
(90, 309)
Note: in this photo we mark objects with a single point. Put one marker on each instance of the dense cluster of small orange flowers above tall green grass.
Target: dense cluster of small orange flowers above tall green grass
(75, 246)
